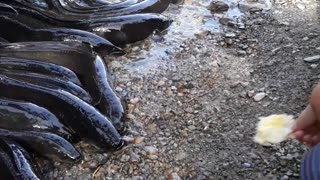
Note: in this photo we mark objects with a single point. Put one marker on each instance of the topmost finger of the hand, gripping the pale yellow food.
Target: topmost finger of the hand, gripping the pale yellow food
(305, 119)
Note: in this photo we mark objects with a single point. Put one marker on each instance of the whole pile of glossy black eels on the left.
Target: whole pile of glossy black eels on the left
(55, 88)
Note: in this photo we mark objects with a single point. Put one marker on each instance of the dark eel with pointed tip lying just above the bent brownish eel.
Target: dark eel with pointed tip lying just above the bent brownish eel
(99, 44)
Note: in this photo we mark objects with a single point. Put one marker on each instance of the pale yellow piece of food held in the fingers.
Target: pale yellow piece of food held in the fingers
(273, 129)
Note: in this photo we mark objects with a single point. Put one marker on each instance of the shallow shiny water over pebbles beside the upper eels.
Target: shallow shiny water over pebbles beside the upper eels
(190, 19)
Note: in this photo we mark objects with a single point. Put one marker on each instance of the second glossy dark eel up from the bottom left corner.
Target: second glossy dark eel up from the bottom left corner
(46, 145)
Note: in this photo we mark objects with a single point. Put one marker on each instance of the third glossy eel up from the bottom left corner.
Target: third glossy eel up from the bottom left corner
(24, 116)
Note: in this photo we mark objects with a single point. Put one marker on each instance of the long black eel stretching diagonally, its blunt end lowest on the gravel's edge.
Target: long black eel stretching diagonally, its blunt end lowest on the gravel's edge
(81, 117)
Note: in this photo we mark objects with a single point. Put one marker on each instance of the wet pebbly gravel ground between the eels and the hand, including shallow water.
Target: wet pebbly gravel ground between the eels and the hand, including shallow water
(192, 93)
